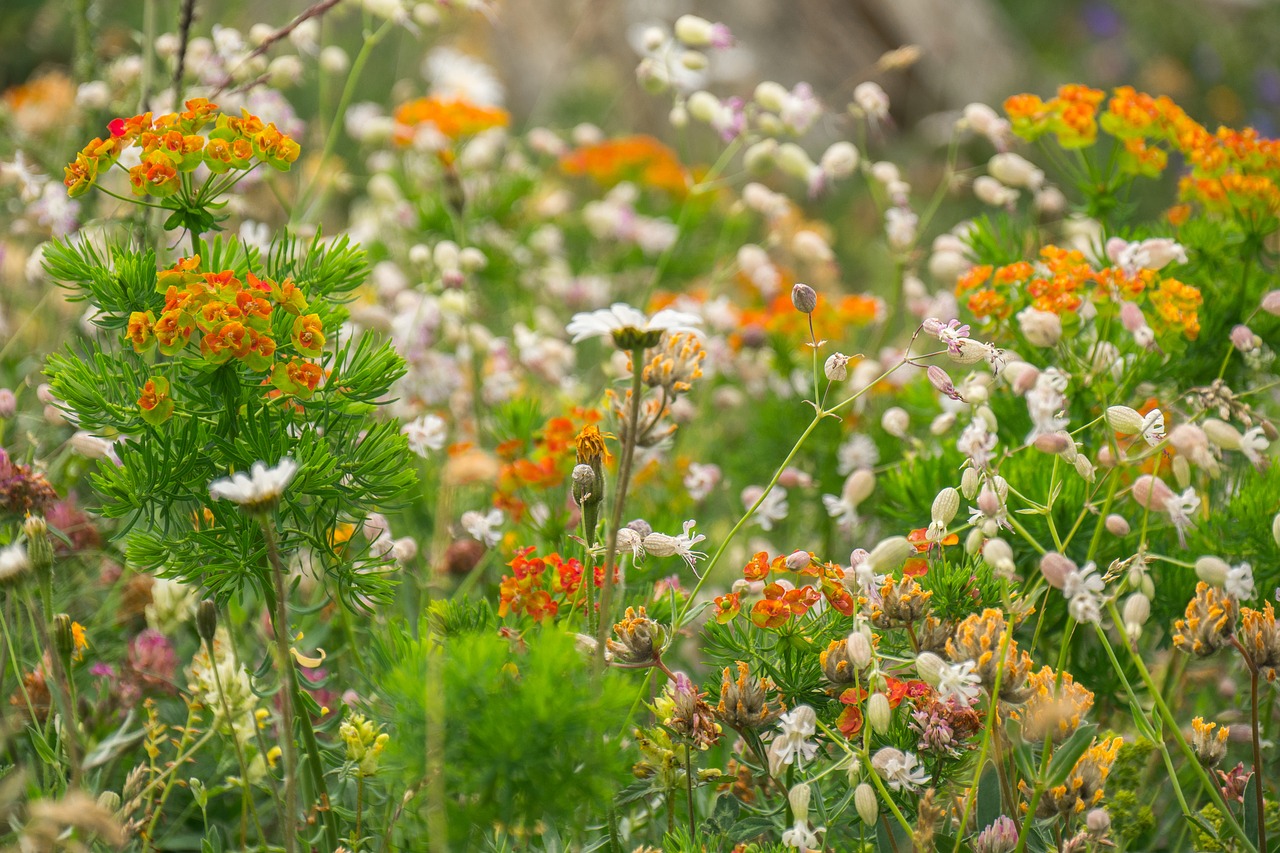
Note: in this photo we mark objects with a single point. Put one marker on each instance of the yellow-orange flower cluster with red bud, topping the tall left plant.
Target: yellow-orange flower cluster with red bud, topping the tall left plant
(172, 145)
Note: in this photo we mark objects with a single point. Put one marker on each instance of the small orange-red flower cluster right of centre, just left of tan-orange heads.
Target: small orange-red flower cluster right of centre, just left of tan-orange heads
(784, 599)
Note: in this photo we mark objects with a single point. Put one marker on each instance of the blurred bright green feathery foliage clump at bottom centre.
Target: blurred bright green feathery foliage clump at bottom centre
(529, 733)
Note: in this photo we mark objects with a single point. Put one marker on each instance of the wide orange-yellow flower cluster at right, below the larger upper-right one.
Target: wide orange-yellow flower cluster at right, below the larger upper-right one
(1060, 282)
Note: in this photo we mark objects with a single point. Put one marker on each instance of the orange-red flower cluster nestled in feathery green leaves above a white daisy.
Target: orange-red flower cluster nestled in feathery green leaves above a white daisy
(235, 321)
